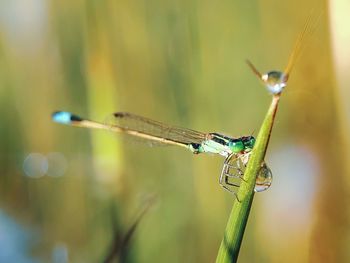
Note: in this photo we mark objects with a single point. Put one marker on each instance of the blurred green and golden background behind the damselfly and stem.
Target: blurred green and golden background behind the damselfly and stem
(67, 193)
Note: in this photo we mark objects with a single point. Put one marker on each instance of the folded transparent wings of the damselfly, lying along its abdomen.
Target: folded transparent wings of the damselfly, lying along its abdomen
(155, 131)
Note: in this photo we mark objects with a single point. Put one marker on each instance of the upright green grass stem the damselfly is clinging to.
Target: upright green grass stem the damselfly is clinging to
(231, 243)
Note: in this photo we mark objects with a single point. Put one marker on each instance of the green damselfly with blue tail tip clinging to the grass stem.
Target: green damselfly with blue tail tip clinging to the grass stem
(235, 150)
